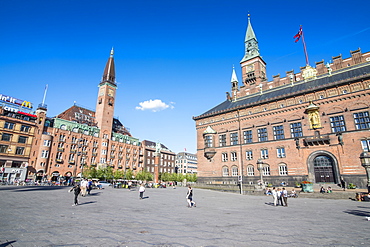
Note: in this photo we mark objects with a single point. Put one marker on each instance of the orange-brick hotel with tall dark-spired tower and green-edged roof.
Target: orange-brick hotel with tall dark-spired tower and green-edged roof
(79, 138)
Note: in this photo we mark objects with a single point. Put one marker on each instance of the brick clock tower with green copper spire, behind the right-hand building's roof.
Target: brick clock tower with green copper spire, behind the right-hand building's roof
(253, 66)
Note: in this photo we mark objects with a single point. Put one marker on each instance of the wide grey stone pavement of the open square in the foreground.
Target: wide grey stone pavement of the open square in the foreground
(43, 216)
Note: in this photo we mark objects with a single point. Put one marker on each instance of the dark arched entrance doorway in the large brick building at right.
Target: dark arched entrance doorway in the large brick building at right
(323, 168)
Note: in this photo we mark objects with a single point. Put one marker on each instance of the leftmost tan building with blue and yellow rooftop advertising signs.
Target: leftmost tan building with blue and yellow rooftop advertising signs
(17, 131)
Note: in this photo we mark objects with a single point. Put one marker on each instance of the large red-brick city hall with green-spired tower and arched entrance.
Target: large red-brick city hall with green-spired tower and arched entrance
(307, 125)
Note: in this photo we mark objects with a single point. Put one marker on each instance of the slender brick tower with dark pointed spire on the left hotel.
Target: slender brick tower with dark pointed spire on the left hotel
(106, 98)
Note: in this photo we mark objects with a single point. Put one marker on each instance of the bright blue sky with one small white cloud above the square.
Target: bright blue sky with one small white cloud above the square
(177, 55)
